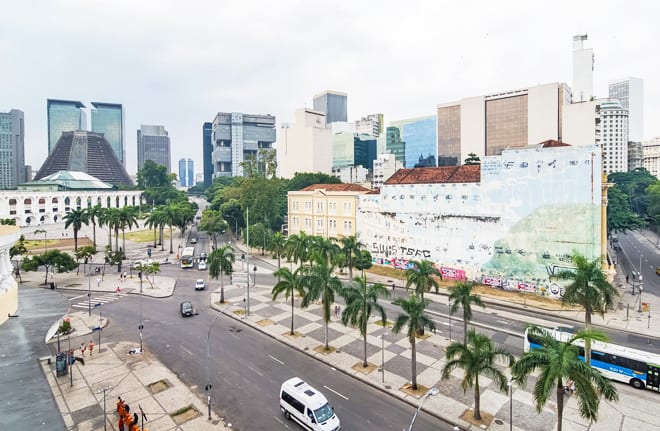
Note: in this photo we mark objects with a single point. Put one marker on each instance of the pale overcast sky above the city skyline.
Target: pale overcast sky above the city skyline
(178, 63)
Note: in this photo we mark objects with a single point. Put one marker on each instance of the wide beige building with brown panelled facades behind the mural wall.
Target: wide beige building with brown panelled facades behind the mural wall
(486, 125)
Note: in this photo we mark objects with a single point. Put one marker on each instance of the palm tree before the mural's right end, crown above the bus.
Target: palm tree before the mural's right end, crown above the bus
(590, 289)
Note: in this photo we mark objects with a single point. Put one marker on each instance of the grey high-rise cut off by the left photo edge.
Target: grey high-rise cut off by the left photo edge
(12, 149)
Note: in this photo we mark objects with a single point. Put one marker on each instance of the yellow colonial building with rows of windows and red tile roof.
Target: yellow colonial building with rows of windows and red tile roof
(327, 210)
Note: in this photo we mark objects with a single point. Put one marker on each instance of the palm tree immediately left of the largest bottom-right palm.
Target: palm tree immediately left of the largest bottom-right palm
(478, 356)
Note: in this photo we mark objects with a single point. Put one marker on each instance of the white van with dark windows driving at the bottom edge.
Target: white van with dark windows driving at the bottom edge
(307, 406)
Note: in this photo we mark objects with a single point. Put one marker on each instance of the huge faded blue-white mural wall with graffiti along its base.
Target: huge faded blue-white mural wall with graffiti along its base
(513, 230)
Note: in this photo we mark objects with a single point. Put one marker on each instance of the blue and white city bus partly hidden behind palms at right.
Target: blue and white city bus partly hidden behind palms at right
(637, 368)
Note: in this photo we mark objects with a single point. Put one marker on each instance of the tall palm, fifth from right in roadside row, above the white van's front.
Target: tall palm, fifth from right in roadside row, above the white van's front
(321, 284)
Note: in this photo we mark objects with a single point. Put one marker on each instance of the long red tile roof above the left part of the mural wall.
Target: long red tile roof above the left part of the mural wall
(445, 174)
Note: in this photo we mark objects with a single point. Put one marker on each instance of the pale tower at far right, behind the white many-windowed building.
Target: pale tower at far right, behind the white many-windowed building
(630, 92)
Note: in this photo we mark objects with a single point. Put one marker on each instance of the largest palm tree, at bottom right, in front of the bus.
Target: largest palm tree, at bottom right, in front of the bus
(558, 363)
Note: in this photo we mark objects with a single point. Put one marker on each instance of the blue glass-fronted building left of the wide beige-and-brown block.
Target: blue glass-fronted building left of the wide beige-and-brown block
(420, 136)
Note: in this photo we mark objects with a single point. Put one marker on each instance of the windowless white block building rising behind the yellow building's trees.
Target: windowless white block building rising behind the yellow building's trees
(305, 146)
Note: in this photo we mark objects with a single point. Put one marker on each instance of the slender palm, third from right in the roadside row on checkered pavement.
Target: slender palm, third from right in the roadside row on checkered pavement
(416, 320)
